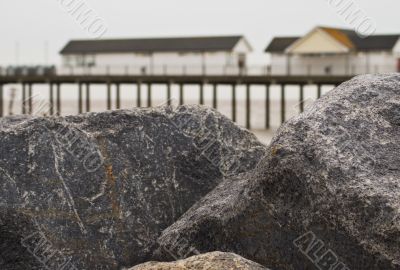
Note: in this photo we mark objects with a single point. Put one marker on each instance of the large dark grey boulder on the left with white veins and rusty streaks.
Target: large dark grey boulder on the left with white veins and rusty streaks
(95, 191)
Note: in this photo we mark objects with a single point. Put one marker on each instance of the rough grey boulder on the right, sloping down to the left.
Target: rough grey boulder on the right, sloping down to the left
(326, 196)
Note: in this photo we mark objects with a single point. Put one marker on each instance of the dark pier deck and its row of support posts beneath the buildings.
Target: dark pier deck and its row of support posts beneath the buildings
(84, 83)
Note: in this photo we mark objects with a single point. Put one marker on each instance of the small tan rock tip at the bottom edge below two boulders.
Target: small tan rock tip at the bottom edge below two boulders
(209, 261)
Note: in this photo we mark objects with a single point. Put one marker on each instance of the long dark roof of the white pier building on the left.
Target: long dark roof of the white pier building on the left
(183, 44)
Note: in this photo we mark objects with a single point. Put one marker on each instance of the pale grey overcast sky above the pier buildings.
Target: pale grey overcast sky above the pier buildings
(32, 24)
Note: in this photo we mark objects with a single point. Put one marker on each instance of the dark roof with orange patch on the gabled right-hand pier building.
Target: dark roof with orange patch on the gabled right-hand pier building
(348, 38)
